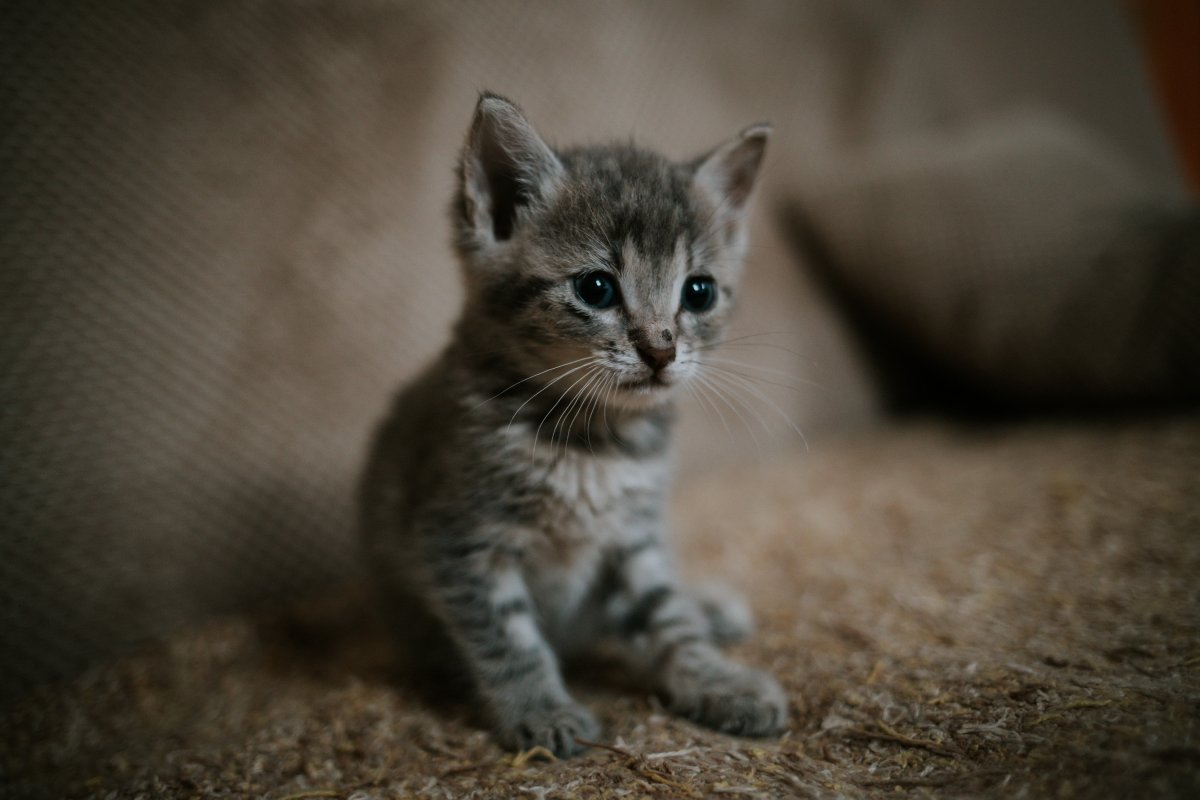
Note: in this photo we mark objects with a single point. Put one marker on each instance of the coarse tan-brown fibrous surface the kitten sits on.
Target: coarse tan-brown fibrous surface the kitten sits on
(955, 612)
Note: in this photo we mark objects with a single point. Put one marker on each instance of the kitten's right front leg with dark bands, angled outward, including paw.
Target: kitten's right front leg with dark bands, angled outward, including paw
(668, 633)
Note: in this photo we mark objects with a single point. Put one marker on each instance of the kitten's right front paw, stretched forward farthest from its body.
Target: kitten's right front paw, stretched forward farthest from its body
(728, 697)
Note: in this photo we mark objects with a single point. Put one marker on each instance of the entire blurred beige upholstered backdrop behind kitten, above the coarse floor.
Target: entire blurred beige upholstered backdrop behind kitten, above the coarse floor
(225, 244)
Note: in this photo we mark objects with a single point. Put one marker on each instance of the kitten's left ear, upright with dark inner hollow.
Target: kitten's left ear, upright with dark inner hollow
(506, 167)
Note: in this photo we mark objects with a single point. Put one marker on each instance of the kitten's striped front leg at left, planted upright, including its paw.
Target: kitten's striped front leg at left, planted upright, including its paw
(490, 617)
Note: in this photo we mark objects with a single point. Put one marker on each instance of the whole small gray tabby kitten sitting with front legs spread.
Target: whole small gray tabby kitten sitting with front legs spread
(514, 503)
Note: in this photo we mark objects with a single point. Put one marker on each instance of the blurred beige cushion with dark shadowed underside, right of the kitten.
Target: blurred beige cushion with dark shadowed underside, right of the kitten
(1025, 263)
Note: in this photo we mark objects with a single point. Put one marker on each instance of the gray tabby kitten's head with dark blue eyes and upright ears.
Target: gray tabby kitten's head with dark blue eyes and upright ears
(609, 268)
